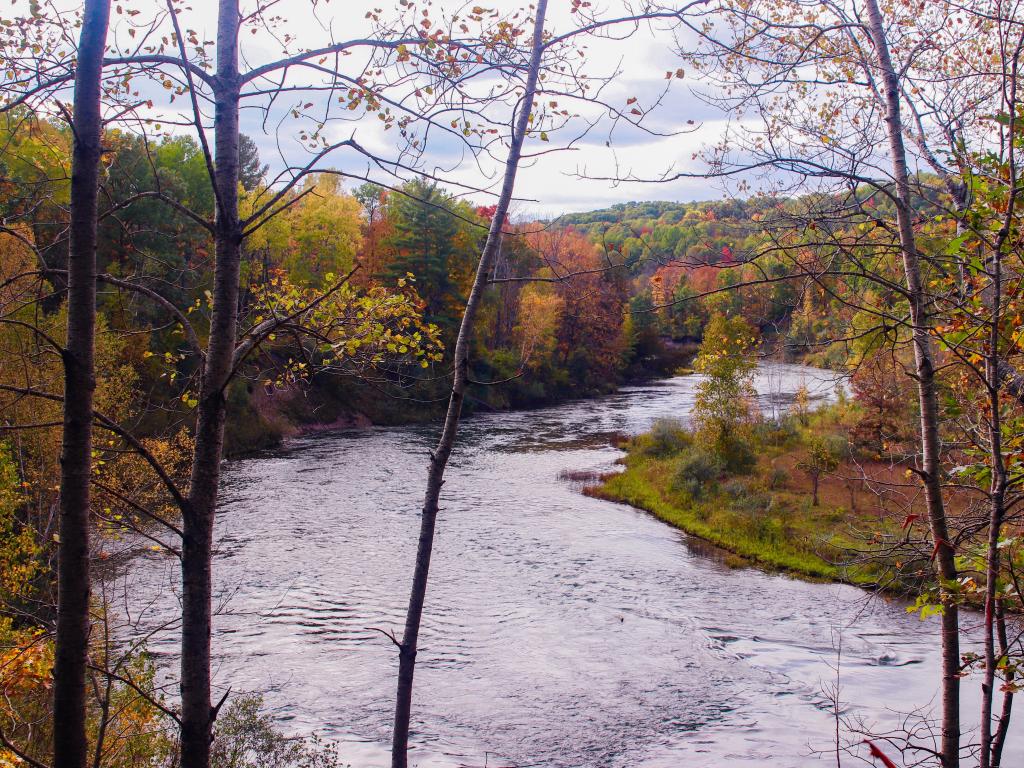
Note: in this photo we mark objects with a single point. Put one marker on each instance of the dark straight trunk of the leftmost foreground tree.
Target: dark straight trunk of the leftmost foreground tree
(70, 743)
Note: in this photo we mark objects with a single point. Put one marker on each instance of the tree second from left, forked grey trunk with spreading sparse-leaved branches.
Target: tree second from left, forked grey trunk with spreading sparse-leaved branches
(208, 76)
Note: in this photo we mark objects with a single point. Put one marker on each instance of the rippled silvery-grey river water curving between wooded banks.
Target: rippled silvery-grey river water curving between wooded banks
(561, 631)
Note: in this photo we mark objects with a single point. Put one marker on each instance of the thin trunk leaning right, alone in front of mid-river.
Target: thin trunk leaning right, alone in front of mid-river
(440, 457)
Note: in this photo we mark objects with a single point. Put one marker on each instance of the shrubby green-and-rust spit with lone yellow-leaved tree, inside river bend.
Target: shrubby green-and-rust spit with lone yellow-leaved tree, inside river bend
(786, 493)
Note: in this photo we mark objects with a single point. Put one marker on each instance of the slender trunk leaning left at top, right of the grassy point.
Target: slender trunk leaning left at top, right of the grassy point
(928, 400)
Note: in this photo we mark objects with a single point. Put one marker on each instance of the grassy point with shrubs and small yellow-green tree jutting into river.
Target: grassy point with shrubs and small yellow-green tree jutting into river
(816, 492)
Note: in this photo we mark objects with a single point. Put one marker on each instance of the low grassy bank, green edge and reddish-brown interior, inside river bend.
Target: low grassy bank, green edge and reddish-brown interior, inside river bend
(766, 515)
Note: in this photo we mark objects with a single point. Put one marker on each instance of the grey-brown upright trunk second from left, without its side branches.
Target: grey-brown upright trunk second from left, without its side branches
(198, 712)
